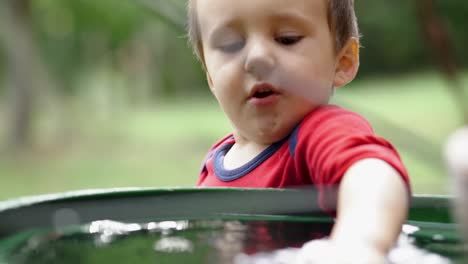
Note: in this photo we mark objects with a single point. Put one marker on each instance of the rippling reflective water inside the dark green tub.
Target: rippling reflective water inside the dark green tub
(215, 241)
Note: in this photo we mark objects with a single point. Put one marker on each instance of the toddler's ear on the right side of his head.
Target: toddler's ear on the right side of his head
(347, 63)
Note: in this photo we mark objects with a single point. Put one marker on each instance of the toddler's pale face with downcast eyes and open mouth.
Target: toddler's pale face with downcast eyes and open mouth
(269, 62)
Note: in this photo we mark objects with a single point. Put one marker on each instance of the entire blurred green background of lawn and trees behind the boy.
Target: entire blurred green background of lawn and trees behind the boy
(98, 94)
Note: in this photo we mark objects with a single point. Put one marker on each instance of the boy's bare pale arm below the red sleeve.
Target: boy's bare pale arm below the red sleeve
(373, 203)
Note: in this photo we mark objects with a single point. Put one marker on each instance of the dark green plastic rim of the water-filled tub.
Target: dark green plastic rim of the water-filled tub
(25, 217)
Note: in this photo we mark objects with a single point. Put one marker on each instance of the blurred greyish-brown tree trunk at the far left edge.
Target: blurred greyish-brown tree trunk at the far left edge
(15, 24)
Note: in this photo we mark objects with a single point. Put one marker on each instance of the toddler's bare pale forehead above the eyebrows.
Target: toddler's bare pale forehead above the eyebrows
(212, 13)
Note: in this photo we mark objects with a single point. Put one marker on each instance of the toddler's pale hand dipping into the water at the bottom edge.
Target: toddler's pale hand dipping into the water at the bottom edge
(329, 252)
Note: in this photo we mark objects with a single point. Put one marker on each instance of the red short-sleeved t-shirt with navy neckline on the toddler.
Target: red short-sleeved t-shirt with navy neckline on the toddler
(318, 152)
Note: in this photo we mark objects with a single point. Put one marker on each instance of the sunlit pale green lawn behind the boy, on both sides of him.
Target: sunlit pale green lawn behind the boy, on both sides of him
(164, 144)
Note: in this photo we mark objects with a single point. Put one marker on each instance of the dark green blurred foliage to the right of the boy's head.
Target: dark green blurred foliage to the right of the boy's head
(393, 40)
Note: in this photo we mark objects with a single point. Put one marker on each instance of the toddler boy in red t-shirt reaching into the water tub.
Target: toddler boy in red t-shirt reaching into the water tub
(273, 66)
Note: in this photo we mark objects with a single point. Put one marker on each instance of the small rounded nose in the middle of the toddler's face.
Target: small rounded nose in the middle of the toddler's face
(260, 60)
